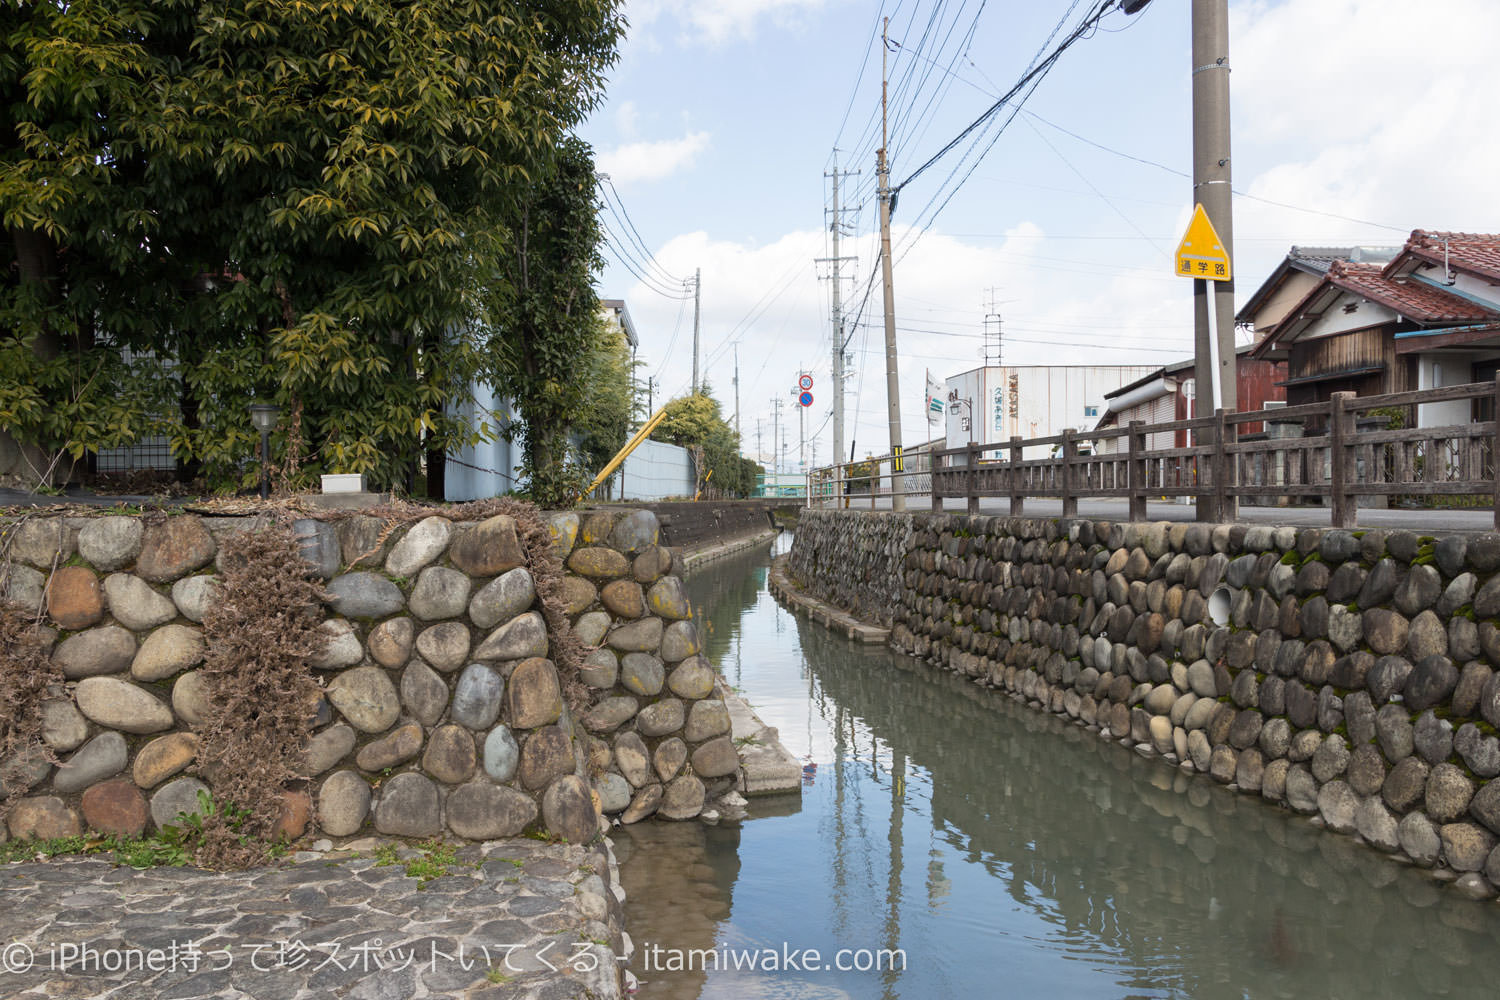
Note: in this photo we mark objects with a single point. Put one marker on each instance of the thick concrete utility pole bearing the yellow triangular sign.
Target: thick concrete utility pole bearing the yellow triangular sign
(1211, 188)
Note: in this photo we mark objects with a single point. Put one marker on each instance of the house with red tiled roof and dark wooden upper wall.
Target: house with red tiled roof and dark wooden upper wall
(1429, 317)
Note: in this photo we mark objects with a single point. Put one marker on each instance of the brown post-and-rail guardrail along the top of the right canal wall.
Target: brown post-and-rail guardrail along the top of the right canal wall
(1333, 461)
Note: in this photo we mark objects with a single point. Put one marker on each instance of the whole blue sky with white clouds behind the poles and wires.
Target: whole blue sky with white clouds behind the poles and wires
(1354, 122)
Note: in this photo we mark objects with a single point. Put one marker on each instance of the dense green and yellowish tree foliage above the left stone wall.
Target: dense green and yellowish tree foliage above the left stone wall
(317, 203)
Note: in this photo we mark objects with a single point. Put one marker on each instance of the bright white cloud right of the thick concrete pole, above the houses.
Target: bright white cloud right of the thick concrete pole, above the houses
(1369, 110)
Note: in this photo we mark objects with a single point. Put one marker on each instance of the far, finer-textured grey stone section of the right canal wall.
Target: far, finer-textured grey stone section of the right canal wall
(850, 560)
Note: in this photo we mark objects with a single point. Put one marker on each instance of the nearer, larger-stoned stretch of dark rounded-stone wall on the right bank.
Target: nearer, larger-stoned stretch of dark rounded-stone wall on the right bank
(1352, 677)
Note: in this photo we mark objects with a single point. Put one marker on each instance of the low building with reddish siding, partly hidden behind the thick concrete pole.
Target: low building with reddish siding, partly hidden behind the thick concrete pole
(1168, 395)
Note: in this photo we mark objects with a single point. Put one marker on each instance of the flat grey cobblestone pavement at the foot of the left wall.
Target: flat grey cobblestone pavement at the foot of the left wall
(319, 927)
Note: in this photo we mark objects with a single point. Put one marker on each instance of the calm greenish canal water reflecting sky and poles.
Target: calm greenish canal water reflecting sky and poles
(991, 851)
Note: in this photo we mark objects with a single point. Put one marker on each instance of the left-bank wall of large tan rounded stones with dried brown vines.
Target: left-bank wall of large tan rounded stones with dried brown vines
(440, 714)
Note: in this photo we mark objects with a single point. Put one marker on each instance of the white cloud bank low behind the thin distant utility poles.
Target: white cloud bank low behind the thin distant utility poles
(770, 301)
